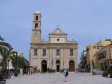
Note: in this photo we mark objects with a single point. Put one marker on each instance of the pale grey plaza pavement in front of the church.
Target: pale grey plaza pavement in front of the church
(58, 78)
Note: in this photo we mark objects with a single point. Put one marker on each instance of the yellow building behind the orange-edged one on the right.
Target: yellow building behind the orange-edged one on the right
(92, 49)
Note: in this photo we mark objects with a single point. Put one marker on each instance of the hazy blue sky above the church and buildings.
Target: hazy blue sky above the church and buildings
(85, 21)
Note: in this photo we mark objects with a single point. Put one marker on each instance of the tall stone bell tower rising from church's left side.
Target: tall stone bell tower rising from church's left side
(36, 30)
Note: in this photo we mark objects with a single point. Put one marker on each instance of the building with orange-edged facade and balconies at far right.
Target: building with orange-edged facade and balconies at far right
(104, 57)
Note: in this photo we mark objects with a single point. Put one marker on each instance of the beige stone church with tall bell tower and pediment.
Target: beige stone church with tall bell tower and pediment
(57, 53)
